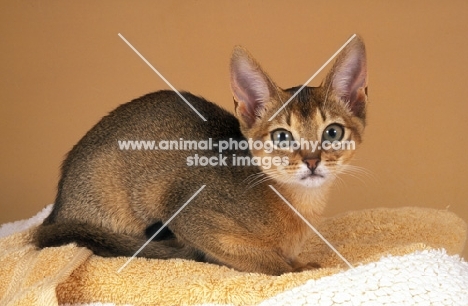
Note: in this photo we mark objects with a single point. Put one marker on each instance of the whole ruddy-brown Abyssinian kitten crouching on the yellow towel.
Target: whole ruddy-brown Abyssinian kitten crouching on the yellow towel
(110, 200)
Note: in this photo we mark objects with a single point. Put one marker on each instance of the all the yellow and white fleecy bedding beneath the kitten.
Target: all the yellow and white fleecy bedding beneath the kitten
(400, 256)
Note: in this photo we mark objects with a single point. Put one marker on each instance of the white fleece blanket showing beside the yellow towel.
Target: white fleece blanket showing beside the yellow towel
(429, 277)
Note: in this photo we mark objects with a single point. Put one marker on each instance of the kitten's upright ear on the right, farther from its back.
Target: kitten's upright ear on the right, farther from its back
(348, 78)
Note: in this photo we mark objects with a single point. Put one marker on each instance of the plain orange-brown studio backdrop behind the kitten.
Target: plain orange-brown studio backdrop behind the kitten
(63, 67)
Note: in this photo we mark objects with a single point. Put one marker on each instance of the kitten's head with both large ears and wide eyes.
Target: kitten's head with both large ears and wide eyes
(330, 118)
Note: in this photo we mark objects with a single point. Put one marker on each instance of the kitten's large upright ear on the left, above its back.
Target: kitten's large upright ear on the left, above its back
(251, 87)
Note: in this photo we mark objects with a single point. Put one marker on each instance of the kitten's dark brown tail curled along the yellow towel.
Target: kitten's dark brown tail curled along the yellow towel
(106, 243)
